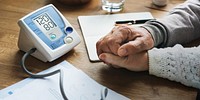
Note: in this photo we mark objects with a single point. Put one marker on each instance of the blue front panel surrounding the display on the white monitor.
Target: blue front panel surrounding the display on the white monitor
(48, 26)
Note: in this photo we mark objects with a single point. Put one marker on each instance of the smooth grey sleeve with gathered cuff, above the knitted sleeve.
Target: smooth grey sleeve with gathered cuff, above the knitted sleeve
(180, 26)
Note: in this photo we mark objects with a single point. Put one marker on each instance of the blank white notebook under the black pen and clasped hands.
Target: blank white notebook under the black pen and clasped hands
(96, 26)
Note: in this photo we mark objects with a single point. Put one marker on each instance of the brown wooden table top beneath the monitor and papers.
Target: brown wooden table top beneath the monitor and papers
(135, 85)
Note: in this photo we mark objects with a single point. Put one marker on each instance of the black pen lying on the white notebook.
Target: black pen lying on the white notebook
(141, 21)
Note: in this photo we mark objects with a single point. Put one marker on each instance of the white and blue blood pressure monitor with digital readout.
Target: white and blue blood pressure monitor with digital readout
(47, 30)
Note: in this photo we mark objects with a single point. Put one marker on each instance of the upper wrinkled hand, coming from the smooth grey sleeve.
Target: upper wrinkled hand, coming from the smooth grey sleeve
(125, 40)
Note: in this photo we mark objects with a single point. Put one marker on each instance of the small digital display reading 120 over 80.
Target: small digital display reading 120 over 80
(44, 22)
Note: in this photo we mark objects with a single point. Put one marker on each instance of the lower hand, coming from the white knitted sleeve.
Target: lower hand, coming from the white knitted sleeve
(133, 62)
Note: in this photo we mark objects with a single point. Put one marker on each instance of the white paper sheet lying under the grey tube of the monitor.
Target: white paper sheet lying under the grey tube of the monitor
(77, 85)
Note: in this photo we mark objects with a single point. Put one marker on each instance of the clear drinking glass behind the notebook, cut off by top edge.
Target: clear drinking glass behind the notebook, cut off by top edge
(112, 6)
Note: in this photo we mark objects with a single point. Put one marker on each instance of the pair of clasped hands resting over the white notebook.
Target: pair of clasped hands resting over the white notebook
(126, 47)
